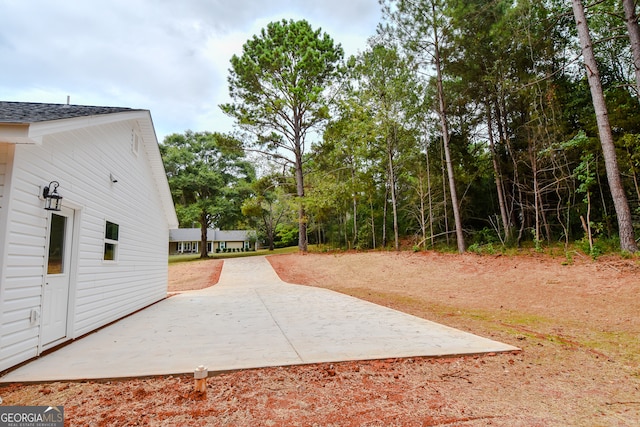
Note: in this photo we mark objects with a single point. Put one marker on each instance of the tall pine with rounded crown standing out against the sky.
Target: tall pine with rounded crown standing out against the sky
(280, 87)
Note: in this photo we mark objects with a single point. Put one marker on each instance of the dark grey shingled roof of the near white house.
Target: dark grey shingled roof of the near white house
(31, 112)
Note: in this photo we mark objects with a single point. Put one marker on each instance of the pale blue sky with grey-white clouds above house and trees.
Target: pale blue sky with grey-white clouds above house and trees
(167, 56)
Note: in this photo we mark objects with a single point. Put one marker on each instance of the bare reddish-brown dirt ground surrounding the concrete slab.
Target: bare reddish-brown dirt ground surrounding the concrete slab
(578, 326)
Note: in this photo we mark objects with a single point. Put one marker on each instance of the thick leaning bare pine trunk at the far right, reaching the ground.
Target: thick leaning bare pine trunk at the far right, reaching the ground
(625, 225)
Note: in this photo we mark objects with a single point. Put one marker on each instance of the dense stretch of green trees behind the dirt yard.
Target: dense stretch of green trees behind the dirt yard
(466, 124)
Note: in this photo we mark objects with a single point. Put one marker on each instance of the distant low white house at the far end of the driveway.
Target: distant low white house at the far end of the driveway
(188, 240)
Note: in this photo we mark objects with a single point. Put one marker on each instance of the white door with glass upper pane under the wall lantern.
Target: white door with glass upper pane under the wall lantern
(57, 279)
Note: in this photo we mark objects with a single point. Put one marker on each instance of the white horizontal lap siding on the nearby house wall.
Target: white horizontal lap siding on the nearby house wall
(82, 161)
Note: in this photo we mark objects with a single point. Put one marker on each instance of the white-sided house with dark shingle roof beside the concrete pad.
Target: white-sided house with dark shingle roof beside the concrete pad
(102, 255)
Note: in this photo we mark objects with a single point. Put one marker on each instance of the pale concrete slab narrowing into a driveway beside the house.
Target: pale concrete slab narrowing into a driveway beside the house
(250, 319)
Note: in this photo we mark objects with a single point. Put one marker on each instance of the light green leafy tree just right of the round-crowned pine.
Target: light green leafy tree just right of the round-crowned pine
(368, 150)
